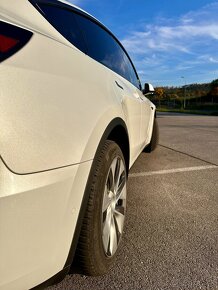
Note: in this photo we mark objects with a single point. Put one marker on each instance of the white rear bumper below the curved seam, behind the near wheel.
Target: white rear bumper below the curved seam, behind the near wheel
(38, 216)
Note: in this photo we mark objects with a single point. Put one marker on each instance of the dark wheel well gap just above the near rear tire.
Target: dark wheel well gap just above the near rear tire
(119, 135)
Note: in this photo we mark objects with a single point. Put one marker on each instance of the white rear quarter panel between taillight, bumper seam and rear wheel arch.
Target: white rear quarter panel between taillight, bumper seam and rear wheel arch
(52, 98)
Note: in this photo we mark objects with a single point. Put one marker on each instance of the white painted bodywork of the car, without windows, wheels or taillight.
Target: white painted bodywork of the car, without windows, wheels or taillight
(53, 113)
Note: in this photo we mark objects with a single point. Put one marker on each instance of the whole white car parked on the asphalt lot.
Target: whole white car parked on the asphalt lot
(73, 119)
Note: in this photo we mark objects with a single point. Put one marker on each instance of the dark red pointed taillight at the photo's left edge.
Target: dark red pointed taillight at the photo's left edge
(12, 39)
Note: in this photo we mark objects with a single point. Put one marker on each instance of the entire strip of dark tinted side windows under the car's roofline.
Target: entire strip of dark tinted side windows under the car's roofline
(92, 39)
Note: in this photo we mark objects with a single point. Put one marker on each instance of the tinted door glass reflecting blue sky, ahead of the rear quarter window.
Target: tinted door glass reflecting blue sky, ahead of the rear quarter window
(104, 48)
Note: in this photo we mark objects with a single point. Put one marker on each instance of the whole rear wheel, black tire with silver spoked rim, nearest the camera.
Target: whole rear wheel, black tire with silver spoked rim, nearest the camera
(103, 223)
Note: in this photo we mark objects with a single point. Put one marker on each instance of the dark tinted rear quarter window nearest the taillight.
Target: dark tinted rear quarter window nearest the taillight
(63, 20)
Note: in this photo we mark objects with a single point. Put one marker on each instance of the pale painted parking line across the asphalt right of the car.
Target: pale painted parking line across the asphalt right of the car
(175, 170)
